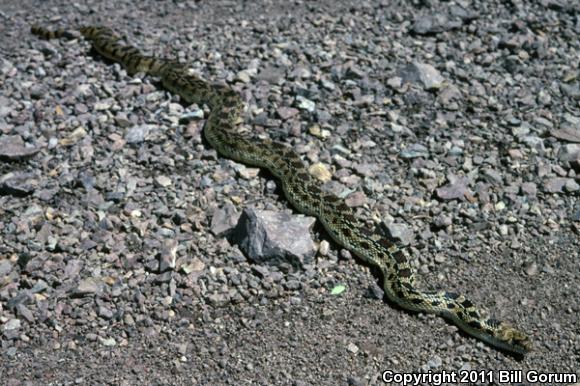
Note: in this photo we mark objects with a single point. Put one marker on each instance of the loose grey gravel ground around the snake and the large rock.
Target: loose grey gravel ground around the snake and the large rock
(456, 124)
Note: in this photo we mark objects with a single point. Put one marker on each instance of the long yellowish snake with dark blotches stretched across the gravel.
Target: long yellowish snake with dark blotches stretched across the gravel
(301, 189)
